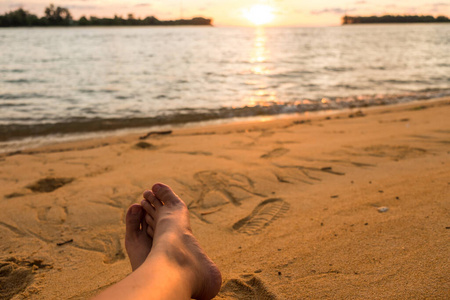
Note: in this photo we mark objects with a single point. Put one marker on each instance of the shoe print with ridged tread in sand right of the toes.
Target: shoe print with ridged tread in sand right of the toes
(263, 215)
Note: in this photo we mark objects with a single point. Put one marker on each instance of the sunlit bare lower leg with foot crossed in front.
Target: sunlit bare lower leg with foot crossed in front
(177, 267)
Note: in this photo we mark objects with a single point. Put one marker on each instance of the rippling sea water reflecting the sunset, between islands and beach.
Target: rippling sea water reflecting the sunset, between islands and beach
(56, 80)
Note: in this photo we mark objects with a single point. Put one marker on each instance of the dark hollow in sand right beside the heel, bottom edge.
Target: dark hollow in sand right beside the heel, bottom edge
(246, 287)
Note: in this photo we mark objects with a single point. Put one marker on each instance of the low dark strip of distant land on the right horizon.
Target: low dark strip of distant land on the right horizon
(393, 19)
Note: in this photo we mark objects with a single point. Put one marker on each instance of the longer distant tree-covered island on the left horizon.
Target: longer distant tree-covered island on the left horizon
(60, 16)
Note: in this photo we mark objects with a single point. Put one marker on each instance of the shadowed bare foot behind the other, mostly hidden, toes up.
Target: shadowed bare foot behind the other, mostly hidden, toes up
(137, 242)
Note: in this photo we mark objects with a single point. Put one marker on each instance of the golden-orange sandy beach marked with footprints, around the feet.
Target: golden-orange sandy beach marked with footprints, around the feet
(353, 205)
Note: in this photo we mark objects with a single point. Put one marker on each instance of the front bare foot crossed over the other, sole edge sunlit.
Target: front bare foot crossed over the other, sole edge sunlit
(168, 223)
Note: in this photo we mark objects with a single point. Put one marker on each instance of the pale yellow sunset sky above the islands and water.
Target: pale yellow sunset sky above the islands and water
(232, 12)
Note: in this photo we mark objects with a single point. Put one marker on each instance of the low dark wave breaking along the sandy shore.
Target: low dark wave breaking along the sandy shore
(189, 115)
